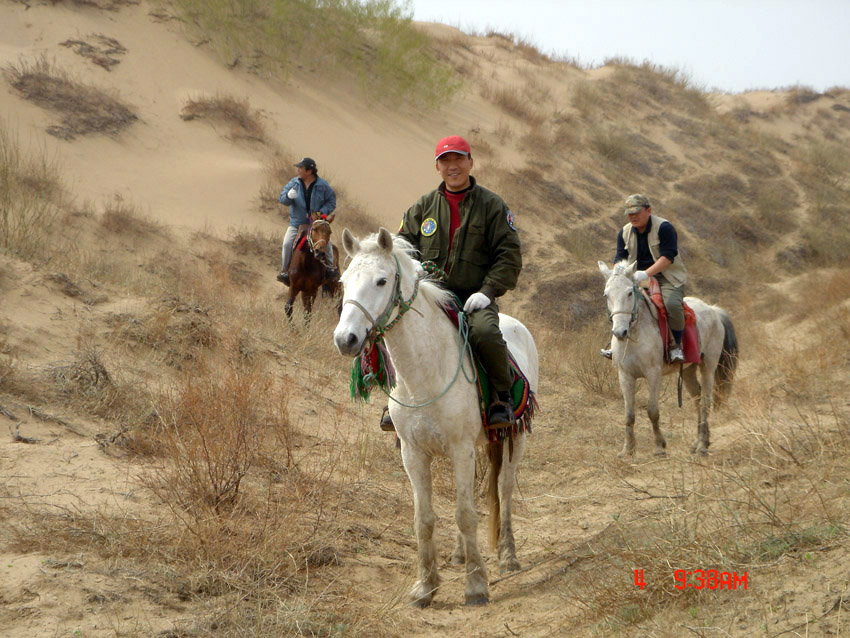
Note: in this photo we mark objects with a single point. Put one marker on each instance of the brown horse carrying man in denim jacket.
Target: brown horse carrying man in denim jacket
(306, 269)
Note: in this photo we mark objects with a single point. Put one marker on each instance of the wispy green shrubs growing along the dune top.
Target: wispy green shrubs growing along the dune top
(372, 41)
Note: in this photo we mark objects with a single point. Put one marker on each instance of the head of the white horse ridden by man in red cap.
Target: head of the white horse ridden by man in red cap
(380, 270)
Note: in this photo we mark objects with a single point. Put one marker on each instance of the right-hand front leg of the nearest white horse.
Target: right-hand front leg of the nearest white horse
(467, 523)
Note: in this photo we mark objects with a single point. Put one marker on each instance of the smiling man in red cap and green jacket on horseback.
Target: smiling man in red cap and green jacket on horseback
(469, 232)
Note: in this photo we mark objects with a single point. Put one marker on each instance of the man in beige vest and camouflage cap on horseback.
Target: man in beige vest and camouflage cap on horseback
(652, 242)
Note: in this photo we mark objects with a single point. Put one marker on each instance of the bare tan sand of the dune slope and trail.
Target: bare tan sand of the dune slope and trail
(187, 175)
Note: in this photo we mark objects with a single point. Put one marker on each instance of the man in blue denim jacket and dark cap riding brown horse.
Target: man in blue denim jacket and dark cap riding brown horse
(305, 194)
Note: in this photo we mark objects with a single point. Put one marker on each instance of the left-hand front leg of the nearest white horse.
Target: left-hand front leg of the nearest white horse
(418, 468)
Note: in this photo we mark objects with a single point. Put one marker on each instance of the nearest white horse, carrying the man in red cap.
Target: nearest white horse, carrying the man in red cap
(435, 409)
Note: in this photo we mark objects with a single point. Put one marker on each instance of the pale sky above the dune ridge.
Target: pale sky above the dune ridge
(732, 45)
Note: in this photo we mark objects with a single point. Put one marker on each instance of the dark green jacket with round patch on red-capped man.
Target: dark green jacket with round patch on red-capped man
(485, 252)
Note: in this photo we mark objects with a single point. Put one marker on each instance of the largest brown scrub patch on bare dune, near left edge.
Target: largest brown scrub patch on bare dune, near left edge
(84, 109)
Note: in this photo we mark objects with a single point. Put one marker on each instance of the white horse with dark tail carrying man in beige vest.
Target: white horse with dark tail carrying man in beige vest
(639, 352)
